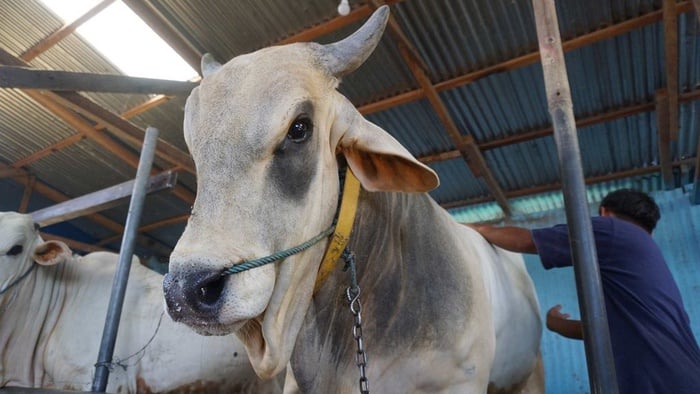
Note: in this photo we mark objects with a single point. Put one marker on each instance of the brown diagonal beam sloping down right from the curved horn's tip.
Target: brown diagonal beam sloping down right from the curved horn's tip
(464, 143)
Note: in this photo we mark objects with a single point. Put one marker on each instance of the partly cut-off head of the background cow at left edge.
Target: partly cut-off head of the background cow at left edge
(21, 247)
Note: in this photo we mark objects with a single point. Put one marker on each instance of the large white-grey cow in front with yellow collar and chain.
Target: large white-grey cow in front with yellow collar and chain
(442, 310)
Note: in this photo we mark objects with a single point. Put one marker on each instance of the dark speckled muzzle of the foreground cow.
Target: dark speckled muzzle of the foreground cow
(194, 297)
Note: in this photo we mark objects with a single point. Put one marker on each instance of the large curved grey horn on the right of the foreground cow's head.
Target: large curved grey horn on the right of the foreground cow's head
(344, 56)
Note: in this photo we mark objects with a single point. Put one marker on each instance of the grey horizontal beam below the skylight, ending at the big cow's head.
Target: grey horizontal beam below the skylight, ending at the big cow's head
(27, 78)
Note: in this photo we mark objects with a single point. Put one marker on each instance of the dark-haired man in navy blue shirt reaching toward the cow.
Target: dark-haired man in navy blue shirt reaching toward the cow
(652, 343)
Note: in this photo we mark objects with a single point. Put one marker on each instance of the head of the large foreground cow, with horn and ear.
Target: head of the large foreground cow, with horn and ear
(264, 131)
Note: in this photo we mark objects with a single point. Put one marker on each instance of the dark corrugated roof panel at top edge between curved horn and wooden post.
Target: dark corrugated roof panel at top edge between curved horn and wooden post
(454, 37)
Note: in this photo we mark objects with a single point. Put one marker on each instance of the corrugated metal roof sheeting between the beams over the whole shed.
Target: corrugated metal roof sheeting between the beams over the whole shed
(452, 38)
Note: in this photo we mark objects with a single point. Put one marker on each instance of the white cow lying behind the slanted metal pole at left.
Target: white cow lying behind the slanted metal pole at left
(52, 313)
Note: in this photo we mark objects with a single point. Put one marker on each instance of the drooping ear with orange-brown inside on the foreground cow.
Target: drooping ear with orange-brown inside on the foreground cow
(380, 162)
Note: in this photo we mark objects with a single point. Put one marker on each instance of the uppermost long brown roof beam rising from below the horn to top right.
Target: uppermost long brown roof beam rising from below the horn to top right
(524, 60)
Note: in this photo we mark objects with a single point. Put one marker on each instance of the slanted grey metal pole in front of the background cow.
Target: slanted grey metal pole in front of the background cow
(114, 311)
